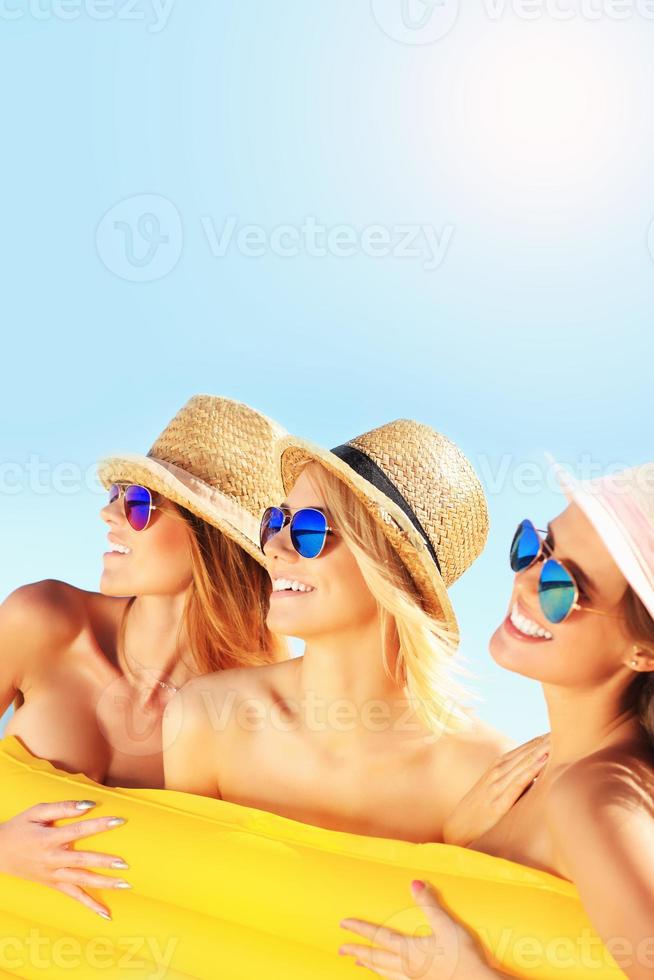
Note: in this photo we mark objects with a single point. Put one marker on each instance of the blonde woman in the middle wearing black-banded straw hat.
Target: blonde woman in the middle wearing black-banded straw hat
(366, 732)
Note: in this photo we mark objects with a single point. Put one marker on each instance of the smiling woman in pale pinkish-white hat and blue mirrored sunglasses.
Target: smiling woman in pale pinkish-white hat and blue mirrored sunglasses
(581, 621)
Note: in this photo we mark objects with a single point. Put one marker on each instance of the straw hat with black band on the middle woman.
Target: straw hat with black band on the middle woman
(421, 490)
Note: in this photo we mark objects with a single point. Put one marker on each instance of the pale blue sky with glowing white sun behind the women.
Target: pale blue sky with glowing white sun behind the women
(341, 213)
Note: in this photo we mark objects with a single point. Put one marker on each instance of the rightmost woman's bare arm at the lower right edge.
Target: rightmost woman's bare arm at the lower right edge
(601, 817)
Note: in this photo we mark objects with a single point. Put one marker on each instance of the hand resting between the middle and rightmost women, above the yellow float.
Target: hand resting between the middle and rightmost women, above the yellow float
(496, 792)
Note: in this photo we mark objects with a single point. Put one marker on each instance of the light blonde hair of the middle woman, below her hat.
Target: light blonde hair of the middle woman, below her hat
(420, 645)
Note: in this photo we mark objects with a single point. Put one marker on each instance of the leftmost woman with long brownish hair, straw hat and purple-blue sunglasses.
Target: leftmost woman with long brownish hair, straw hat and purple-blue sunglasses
(183, 592)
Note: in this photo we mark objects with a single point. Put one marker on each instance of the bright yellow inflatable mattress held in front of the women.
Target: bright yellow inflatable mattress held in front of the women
(224, 891)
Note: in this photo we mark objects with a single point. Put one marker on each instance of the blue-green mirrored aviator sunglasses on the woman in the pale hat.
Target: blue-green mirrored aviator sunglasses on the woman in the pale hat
(558, 592)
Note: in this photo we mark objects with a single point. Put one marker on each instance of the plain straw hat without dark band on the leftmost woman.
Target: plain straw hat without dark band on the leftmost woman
(215, 458)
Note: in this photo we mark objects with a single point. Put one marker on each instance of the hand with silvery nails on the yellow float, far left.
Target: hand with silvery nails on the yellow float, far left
(31, 848)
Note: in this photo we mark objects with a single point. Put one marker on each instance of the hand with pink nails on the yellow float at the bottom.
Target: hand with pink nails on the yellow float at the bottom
(448, 952)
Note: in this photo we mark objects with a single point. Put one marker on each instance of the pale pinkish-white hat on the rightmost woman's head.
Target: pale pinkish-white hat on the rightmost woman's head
(621, 509)
